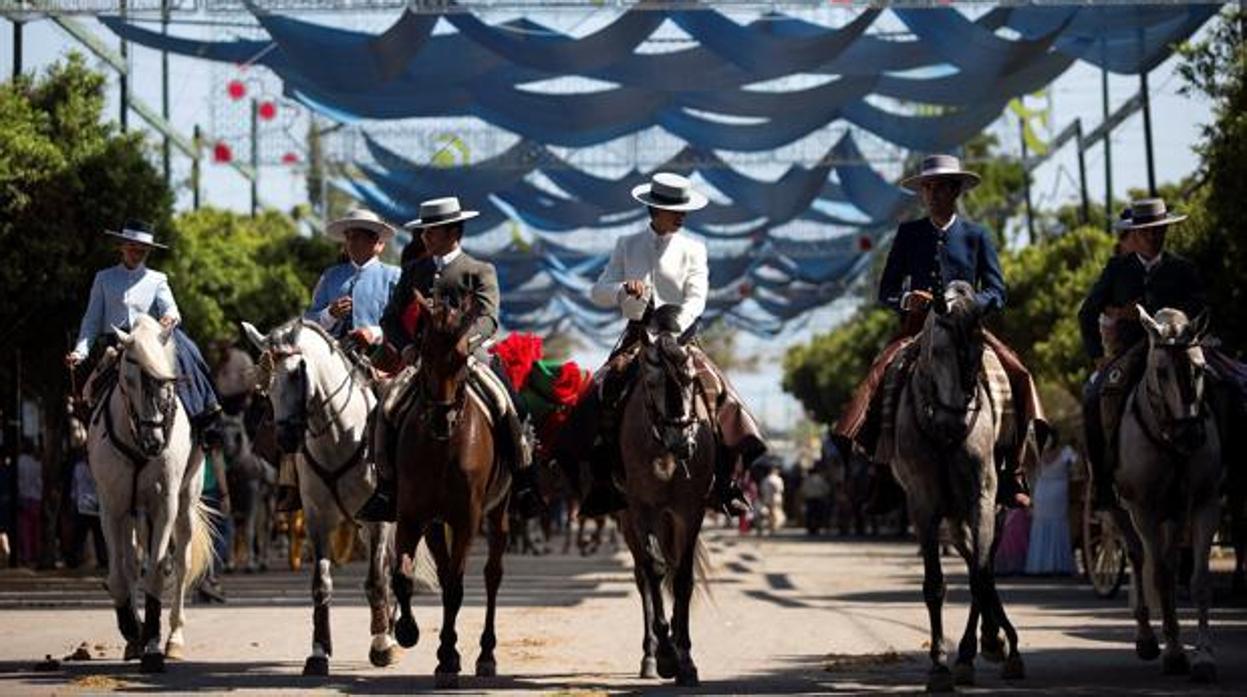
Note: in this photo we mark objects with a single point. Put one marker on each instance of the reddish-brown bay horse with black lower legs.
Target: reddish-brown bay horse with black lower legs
(450, 479)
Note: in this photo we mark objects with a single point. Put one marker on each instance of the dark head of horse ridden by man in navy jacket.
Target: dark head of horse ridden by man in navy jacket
(952, 355)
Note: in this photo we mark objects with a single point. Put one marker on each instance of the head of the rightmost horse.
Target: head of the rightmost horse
(1174, 380)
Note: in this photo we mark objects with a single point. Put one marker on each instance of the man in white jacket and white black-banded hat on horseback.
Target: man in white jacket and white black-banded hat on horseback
(660, 280)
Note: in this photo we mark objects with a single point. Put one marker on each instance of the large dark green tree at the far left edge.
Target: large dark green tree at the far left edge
(65, 178)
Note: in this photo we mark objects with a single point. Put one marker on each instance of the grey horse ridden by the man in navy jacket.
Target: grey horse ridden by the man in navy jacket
(951, 422)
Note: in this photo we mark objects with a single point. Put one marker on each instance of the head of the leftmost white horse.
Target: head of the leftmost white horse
(148, 378)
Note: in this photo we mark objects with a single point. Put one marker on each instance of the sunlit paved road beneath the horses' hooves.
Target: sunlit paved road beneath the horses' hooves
(784, 617)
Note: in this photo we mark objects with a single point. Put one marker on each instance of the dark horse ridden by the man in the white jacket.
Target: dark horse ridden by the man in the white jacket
(667, 502)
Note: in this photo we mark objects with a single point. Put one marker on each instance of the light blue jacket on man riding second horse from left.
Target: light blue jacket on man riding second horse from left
(368, 286)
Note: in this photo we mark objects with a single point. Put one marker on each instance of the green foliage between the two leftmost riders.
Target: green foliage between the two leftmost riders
(230, 267)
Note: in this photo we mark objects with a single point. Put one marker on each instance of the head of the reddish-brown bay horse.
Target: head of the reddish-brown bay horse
(445, 351)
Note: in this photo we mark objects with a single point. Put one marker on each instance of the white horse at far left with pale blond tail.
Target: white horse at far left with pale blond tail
(145, 462)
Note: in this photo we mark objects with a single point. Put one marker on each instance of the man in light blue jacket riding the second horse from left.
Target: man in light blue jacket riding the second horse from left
(349, 304)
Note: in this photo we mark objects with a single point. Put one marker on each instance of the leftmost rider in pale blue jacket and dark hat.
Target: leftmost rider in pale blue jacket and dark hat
(119, 296)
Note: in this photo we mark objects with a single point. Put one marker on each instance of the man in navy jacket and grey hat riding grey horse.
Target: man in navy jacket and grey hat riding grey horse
(926, 256)
